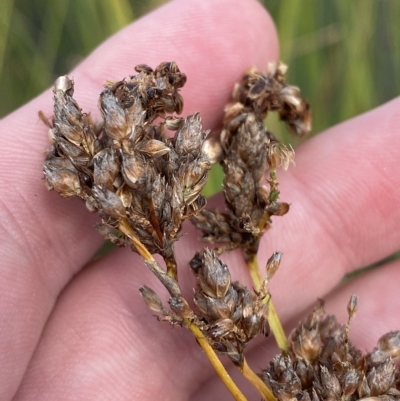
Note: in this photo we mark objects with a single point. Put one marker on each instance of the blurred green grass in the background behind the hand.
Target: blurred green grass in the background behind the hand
(344, 55)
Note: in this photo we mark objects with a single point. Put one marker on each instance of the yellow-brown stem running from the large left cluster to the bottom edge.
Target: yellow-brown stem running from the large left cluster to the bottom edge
(173, 288)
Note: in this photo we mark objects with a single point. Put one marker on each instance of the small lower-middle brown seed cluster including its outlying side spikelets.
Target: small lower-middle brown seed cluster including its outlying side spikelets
(228, 313)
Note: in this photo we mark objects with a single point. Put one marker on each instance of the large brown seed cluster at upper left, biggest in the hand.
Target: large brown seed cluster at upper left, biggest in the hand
(125, 167)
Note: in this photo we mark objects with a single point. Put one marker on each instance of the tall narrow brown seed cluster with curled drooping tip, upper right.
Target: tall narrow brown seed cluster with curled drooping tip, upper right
(247, 152)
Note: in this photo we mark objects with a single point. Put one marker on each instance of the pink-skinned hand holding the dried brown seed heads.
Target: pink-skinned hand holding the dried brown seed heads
(72, 329)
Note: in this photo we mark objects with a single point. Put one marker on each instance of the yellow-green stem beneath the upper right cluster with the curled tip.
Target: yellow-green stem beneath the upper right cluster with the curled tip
(273, 319)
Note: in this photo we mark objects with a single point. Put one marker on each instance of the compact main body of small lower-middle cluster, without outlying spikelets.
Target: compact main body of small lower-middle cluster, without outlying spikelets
(230, 313)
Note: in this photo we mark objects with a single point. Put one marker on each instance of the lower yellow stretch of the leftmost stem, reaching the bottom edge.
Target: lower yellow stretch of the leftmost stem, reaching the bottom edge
(217, 364)
